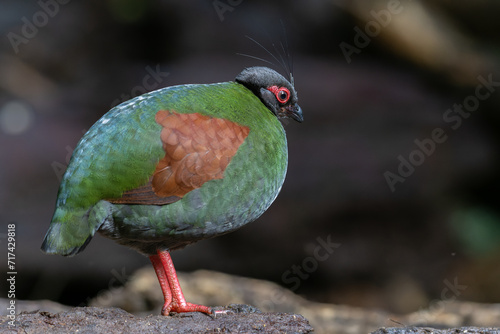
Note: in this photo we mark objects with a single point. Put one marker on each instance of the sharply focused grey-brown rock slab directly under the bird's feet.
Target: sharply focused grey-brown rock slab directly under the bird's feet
(114, 320)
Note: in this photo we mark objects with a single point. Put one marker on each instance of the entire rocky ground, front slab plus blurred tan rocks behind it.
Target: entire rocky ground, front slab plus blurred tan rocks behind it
(135, 307)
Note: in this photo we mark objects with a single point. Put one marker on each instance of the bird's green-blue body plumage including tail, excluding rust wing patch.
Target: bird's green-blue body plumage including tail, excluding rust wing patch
(120, 153)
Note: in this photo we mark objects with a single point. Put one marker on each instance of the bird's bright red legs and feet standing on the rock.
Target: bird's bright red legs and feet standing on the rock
(174, 298)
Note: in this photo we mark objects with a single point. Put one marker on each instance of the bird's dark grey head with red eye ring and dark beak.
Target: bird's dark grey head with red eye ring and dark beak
(277, 93)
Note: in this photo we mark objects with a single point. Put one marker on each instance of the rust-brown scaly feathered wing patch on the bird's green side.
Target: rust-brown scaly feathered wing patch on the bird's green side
(197, 149)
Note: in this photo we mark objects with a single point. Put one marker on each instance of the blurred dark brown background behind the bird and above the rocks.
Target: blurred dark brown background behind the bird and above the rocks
(372, 77)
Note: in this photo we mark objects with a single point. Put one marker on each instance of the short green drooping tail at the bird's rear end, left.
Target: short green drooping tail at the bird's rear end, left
(69, 232)
